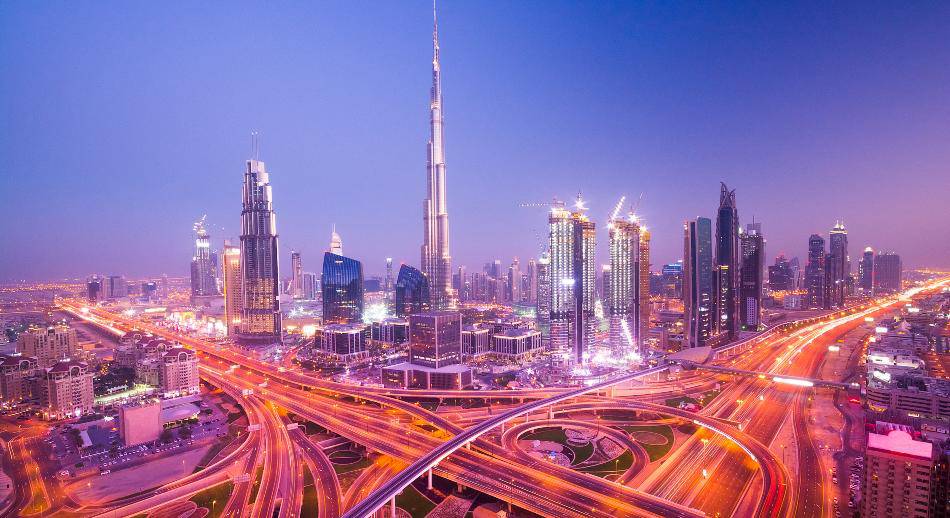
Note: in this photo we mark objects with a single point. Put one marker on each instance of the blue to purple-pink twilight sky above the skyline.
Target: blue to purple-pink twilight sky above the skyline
(122, 123)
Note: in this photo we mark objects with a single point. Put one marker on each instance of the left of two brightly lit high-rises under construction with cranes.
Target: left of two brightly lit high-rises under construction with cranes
(573, 278)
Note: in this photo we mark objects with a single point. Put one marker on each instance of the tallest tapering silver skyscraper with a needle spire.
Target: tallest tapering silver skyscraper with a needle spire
(436, 260)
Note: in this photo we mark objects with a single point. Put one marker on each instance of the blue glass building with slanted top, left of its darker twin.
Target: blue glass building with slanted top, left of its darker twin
(342, 287)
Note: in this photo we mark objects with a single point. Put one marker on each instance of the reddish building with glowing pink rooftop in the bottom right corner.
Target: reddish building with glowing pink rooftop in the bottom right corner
(898, 475)
